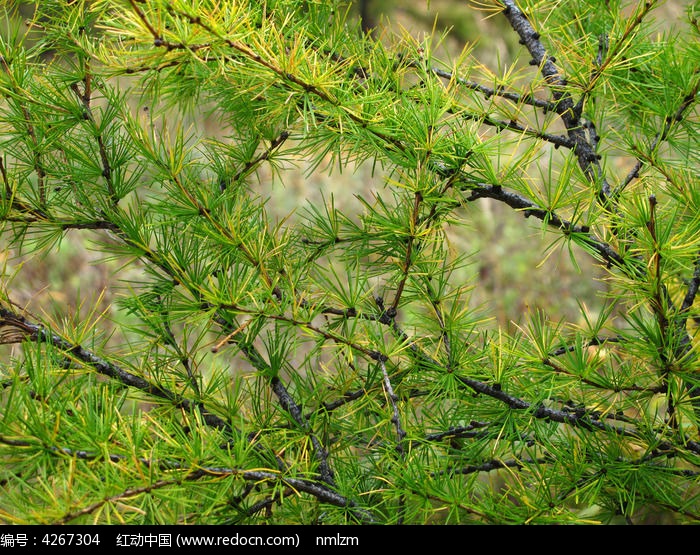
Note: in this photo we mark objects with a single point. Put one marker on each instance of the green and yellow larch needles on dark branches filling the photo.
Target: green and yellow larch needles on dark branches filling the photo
(329, 364)
